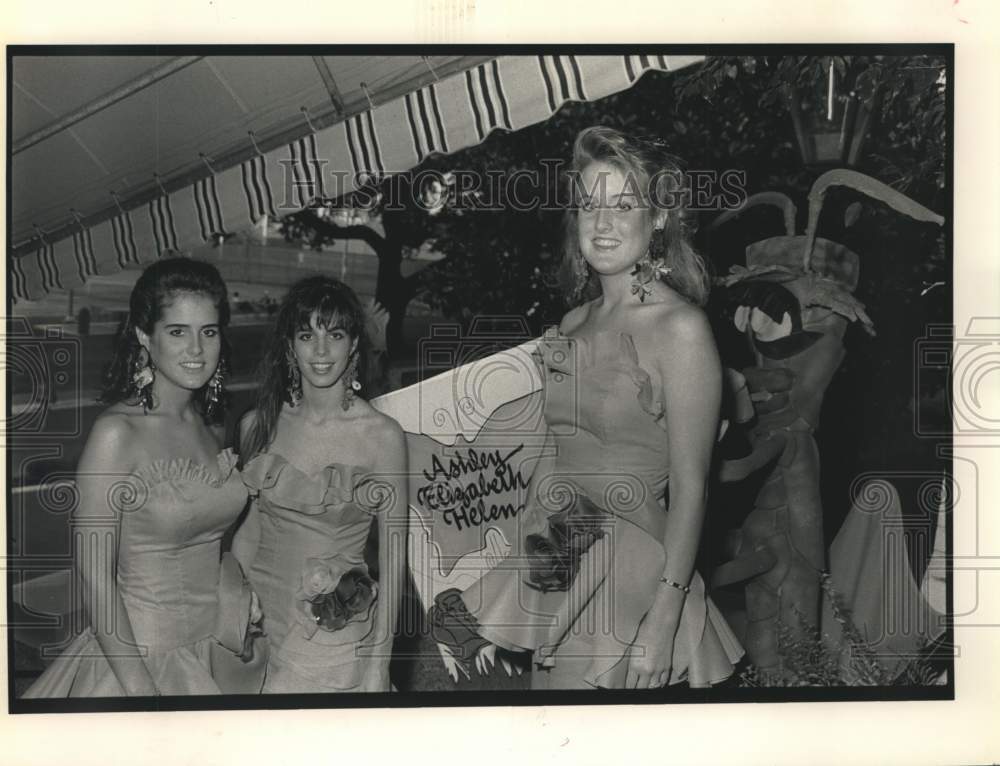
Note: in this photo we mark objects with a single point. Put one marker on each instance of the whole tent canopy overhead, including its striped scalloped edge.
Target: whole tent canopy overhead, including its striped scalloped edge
(118, 160)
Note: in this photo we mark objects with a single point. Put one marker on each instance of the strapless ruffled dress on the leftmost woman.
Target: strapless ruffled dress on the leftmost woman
(172, 520)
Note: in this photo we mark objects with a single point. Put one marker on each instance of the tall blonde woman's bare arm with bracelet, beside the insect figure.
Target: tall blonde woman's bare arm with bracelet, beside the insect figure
(692, 390)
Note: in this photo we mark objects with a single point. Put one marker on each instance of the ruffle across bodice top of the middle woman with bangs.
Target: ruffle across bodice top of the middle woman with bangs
(288, 487)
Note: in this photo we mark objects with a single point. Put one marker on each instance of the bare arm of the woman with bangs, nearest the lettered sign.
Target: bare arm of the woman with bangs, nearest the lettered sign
(392, 520)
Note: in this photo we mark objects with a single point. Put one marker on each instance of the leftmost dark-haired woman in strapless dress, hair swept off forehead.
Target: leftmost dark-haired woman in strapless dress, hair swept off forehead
(156, 494)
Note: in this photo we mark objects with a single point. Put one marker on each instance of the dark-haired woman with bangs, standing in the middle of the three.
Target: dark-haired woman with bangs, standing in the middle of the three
(323, 466)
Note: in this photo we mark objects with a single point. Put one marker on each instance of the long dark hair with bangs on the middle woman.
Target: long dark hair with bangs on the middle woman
(335, 305)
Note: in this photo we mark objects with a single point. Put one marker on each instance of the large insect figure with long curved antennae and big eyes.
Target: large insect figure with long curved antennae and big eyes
(793, 302)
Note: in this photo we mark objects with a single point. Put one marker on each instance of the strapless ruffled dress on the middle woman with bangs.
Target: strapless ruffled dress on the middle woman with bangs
(313, 529)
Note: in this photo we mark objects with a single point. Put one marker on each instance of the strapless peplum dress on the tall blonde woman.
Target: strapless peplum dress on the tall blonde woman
(594, 525)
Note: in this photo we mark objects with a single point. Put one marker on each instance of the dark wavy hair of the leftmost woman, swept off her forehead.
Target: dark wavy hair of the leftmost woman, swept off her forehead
(153, 292)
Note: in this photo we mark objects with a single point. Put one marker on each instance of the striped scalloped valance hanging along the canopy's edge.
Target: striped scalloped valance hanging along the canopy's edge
(508, 92)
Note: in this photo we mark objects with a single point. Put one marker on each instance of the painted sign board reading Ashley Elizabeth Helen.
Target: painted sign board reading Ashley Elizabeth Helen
(474, 436)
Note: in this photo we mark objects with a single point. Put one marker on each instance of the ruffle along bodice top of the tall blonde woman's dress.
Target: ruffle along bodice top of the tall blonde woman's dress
(609, 350)
